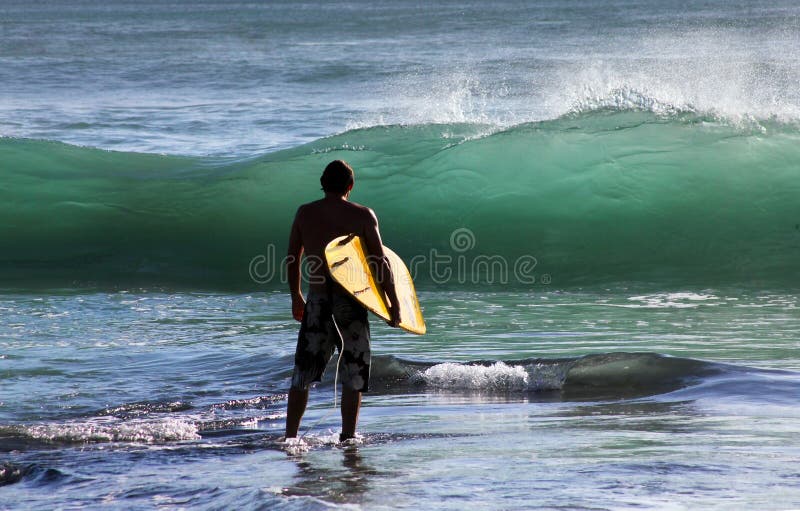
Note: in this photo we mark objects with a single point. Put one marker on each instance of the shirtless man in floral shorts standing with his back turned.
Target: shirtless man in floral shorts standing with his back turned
(330, 318)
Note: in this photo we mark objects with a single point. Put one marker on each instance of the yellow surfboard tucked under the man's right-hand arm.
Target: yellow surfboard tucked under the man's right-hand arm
(346, 258)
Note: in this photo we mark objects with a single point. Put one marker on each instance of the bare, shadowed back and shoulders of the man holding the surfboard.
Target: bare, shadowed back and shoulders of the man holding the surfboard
(319, 222)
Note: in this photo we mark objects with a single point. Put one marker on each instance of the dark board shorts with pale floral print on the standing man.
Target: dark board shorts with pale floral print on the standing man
(319, 338)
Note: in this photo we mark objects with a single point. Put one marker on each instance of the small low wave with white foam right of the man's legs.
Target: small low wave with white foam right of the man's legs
(604, 376)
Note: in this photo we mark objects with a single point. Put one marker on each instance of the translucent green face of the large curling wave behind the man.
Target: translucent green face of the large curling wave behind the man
(600, 197)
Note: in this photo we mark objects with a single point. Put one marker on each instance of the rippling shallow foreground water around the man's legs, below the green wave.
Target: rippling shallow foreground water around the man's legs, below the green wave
(513, 400)
